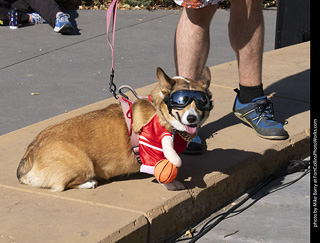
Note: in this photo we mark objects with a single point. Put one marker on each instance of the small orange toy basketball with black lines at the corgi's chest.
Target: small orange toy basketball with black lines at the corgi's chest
(165, 171)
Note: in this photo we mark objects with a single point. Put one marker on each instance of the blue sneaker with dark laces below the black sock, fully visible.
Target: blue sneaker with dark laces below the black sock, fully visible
(259, 115)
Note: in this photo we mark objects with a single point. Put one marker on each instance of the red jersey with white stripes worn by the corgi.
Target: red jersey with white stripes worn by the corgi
(150, 146)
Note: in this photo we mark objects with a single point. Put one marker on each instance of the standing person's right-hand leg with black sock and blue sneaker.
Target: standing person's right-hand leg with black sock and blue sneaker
(246, 34)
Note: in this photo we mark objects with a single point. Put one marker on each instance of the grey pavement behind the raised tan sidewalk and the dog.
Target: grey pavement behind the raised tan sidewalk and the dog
(44, 74)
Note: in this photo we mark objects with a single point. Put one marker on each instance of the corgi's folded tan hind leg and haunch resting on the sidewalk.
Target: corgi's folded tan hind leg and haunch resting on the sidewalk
(58, 166)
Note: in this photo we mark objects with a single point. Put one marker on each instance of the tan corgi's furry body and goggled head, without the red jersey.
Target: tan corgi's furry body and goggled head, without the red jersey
(75, 152)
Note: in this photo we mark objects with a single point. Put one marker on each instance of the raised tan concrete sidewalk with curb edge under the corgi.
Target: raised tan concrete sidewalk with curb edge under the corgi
(137, 209)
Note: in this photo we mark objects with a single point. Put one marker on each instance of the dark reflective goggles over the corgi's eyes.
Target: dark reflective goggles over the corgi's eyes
(182, 98)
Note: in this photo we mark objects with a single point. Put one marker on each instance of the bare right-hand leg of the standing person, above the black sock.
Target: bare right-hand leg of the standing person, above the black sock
(246, 34)
